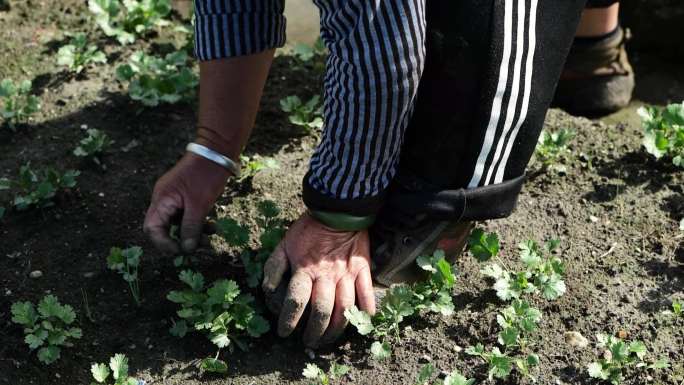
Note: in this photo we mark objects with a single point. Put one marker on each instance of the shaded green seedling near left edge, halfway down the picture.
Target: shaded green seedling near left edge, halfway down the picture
(38, 188)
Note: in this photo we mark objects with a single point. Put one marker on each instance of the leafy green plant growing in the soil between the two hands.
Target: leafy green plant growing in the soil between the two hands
(272, 231)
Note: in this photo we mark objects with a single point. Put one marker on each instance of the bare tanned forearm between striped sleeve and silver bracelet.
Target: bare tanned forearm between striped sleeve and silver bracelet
(230, 91)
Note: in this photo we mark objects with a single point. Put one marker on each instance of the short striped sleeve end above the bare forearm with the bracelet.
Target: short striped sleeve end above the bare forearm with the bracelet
(228, 28)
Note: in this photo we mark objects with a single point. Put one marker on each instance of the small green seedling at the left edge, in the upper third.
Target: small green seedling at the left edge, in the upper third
(17, 102)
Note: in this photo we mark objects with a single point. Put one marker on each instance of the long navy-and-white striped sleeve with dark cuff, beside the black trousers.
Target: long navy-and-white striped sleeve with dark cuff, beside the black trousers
(377, 52)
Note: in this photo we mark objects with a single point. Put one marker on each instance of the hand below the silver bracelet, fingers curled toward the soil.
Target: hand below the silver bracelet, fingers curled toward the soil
(189, 190)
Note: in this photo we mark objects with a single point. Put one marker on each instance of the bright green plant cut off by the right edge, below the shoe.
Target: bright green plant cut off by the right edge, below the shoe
(664, 131)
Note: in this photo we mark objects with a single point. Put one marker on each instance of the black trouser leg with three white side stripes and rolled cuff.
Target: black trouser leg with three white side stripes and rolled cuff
(490, 74)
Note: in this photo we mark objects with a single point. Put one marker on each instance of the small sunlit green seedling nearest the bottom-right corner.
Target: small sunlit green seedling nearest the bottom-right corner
(618, 356)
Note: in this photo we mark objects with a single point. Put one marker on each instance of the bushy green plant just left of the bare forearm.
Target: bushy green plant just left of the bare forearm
(153, 80)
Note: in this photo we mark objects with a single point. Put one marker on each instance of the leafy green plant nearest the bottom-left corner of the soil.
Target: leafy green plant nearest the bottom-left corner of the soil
(49, 328)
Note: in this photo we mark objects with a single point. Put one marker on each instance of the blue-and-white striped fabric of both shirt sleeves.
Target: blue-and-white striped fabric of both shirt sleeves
(377, 53)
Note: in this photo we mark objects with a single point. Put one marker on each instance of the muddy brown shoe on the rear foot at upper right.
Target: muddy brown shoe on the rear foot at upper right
(597, 78)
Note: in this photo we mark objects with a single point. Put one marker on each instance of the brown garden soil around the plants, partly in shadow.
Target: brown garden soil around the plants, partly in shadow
(616, 212)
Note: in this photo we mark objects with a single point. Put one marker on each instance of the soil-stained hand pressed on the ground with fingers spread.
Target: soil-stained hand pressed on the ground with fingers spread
(330, 269)
